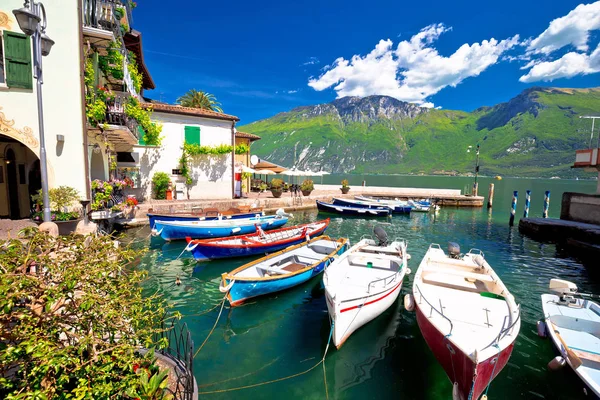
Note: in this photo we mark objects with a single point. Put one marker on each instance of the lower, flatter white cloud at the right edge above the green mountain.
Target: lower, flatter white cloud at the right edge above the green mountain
(569, 65)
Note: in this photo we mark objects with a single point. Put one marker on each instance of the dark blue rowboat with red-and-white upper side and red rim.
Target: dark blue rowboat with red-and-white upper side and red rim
(256, 243)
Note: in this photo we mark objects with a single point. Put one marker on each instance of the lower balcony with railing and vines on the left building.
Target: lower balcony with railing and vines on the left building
(120, 130)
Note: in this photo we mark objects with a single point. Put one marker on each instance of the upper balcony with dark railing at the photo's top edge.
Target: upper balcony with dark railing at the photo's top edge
(99, 19)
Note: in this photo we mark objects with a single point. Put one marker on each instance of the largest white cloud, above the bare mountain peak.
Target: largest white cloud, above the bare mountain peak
(414, 70)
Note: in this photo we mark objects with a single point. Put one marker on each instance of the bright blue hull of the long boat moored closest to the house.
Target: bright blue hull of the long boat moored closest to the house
(180, 232)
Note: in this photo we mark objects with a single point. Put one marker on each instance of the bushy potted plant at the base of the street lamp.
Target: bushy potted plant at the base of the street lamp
(62, 199)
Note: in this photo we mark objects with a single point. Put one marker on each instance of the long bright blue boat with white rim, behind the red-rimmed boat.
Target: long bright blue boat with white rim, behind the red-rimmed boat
(177, 230)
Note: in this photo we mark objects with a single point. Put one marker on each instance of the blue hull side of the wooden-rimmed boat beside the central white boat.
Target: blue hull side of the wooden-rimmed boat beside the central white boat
(243, 290)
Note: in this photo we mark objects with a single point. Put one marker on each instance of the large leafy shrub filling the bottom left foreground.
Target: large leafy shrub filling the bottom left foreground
(72, 319)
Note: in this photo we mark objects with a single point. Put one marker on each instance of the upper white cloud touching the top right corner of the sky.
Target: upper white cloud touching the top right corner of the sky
(572, 29)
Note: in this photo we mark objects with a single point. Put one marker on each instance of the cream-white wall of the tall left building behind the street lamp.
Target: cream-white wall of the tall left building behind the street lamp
(62, 90)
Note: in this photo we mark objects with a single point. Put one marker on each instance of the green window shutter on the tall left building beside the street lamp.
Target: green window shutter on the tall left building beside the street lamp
(17, 52)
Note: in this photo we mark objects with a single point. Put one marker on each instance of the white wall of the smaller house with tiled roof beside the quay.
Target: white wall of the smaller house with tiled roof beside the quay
(212, 175)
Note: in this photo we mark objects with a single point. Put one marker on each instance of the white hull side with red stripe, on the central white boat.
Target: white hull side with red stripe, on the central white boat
(354, 314)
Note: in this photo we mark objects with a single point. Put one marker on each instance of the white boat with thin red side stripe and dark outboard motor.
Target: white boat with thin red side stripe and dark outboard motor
(363, 283)
